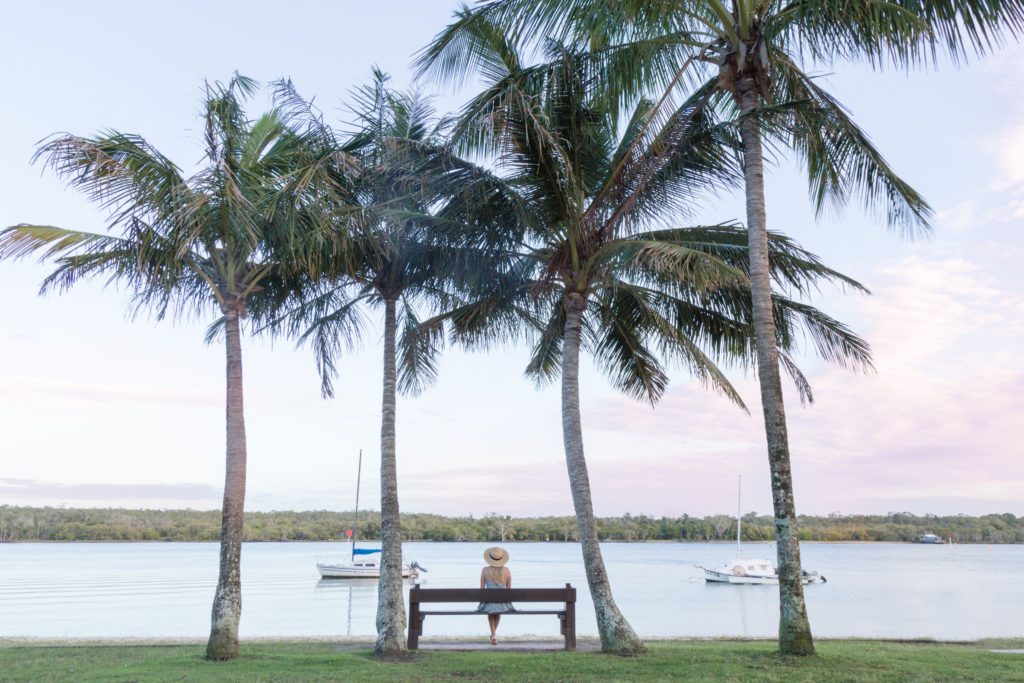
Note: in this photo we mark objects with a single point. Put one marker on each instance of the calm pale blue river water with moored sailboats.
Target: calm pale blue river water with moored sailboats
(104, 590)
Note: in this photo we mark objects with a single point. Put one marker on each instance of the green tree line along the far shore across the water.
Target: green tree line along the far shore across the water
(29, 524)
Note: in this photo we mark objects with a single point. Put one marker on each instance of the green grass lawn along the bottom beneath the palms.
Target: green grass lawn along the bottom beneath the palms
(667, 661)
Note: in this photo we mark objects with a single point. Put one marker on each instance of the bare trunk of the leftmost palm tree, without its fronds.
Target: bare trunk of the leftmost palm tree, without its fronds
(224, 644)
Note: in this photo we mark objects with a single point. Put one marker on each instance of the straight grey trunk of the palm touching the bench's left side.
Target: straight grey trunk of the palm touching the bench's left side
(391, 604)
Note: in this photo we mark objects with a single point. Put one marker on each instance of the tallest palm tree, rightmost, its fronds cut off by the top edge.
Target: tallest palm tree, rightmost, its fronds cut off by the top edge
(755, 51)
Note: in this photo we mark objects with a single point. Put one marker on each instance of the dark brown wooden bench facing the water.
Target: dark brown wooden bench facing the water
(419, 596)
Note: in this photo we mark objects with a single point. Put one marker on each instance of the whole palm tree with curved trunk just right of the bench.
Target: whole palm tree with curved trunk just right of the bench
(600, 273)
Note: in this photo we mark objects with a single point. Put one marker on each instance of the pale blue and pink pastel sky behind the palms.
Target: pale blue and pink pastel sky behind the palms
(100, 410)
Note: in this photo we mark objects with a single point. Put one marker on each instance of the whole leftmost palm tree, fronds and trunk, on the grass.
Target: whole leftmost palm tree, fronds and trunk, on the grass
(208, 243)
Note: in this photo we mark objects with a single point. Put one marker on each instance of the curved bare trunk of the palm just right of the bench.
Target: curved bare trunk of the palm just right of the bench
(617, 634)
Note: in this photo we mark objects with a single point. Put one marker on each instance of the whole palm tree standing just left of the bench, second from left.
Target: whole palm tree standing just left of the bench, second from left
(401, 260)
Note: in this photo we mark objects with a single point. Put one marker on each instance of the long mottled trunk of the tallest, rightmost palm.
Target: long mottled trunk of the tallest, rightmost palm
(794, 628)
